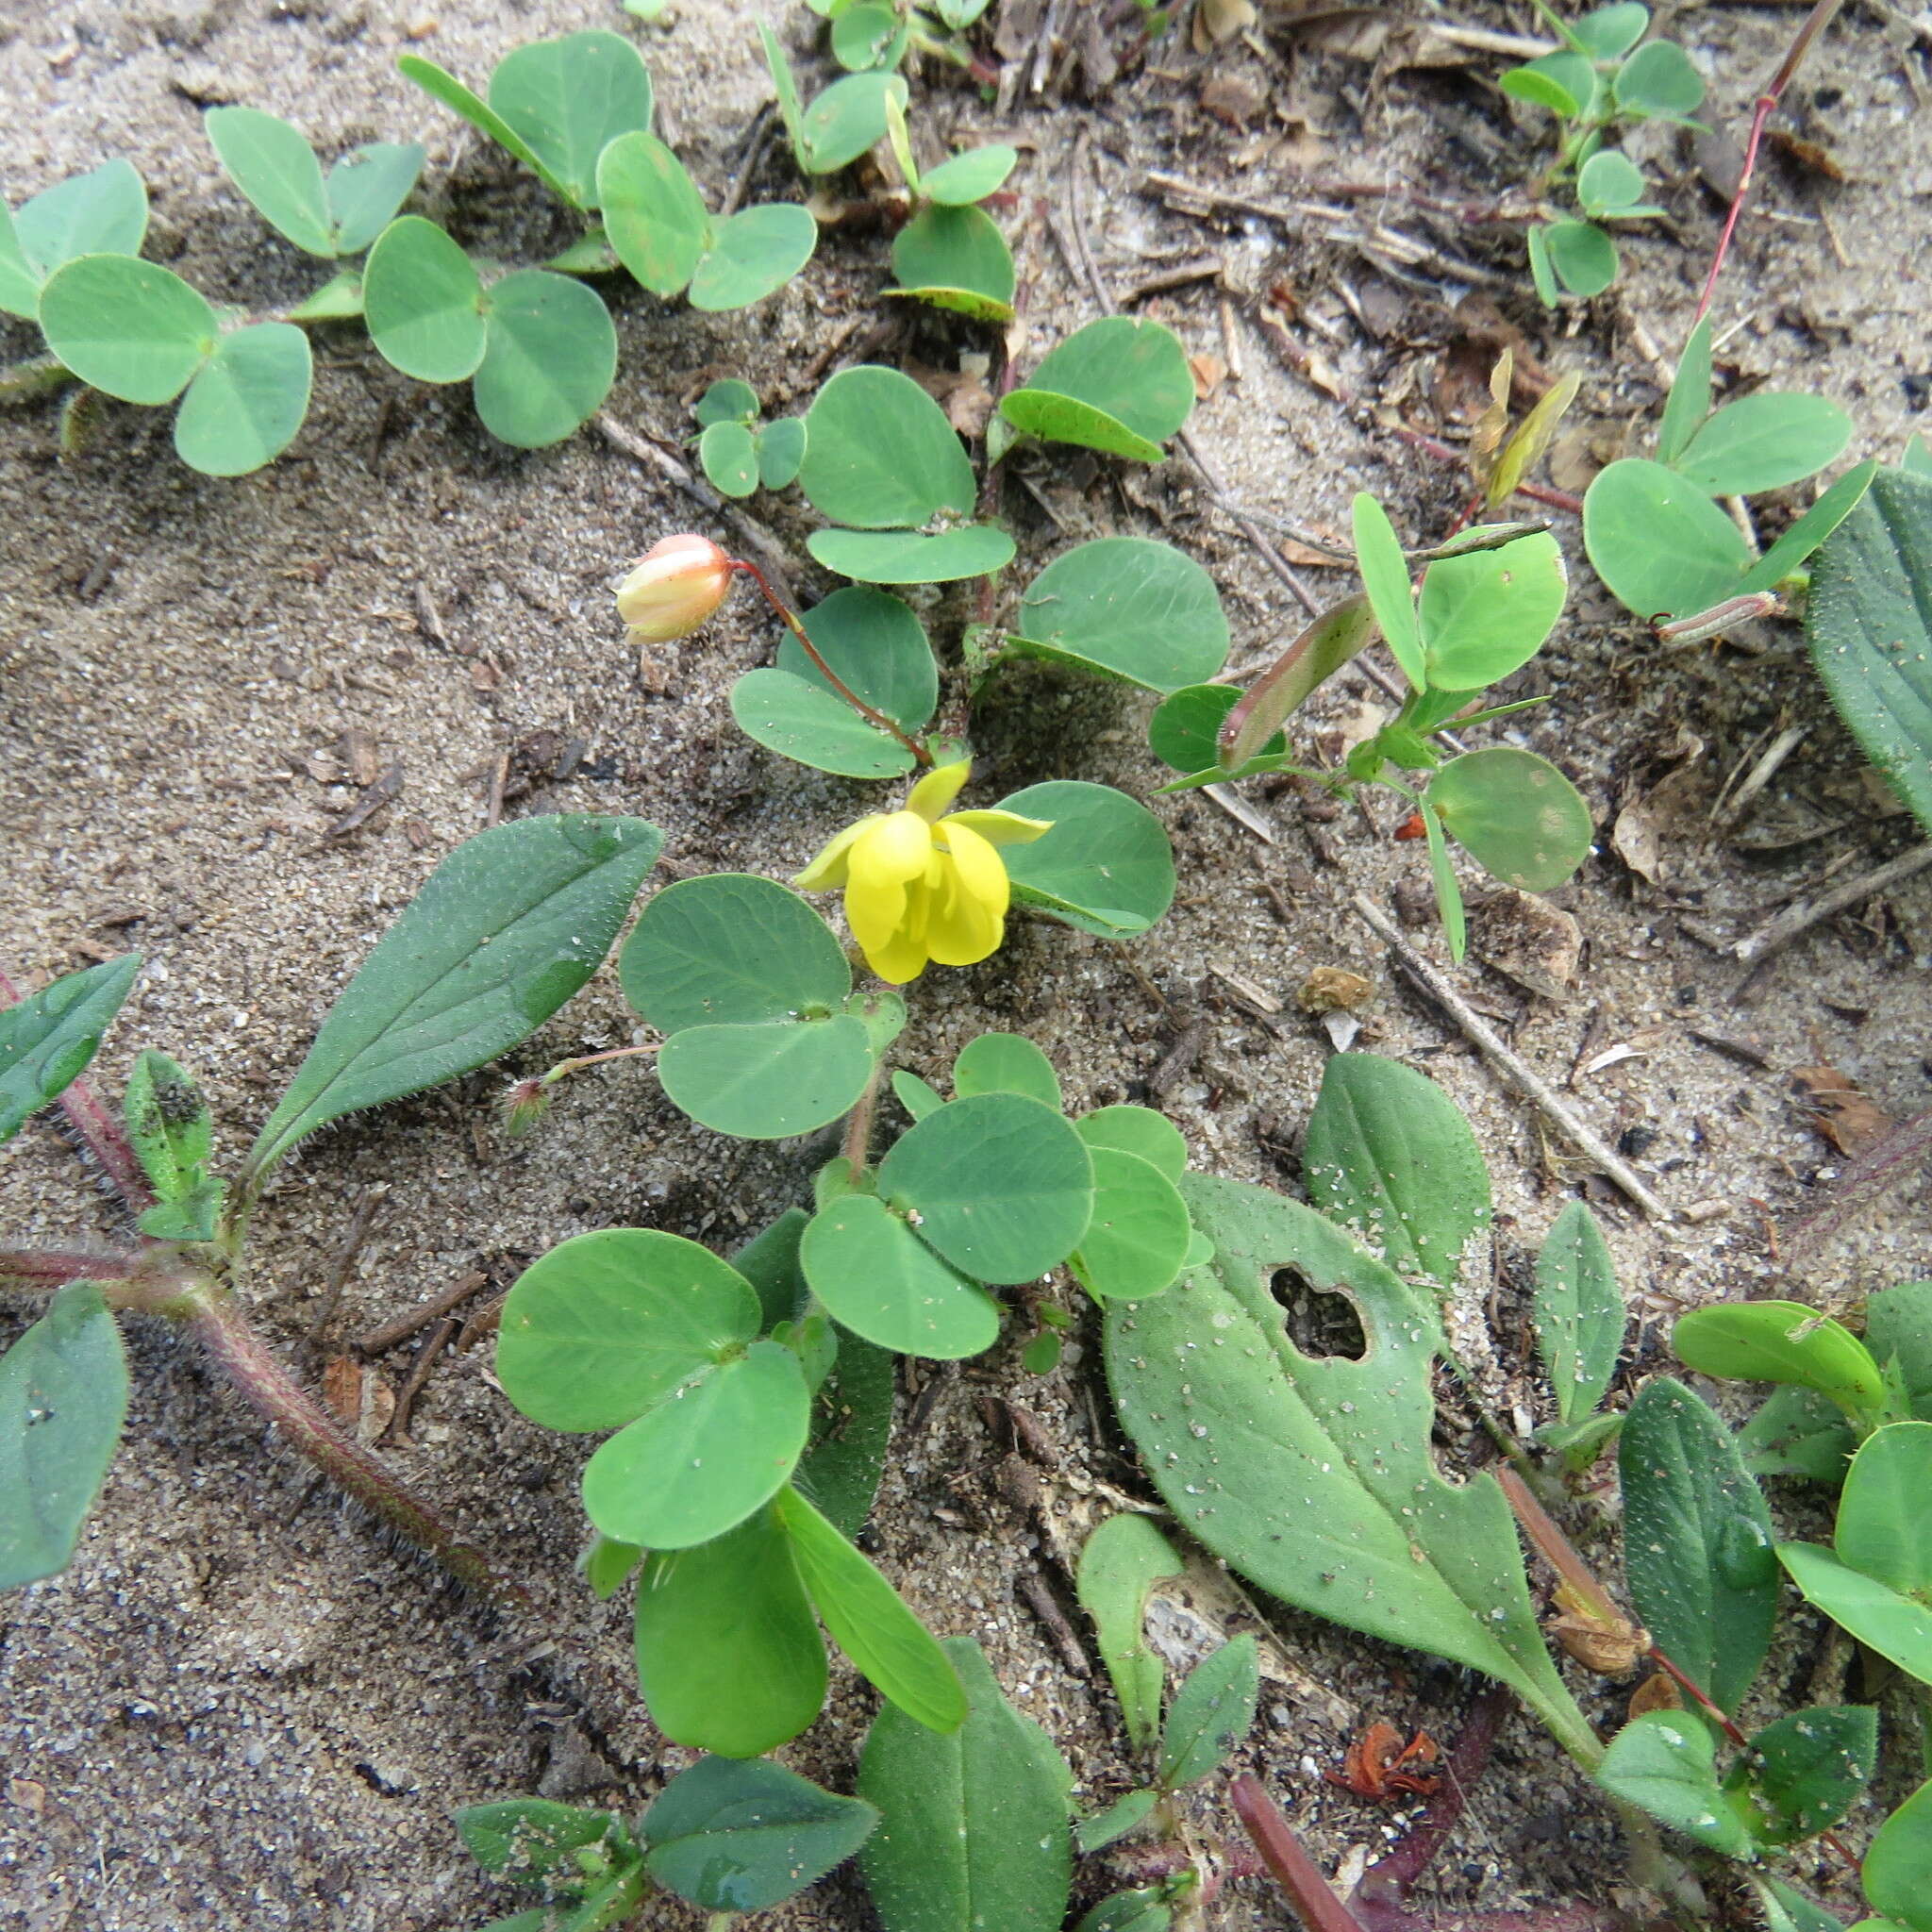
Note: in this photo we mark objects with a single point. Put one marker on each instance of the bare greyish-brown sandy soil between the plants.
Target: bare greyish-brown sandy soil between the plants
(242, 1707)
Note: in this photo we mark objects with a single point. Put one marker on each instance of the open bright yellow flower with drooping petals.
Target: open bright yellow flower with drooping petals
(924, 888)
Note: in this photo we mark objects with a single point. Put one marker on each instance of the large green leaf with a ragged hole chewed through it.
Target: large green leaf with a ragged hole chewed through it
(1311, 1475)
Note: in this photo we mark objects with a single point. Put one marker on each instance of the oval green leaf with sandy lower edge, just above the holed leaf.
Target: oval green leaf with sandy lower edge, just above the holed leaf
(1390, 1156)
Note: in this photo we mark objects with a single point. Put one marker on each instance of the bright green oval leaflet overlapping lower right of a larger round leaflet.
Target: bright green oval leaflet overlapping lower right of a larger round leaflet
(700, 1463)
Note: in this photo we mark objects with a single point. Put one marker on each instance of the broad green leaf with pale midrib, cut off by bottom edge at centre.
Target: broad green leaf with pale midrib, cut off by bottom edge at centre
(973, 1827)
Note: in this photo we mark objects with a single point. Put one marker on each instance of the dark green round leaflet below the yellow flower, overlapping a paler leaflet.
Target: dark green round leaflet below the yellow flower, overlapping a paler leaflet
(1002, 1185)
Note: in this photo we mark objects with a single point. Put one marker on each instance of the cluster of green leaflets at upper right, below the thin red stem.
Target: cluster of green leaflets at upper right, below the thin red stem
(1661, 542)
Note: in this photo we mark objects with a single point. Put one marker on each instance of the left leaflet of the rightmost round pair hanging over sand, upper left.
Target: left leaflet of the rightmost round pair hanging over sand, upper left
(550, 358)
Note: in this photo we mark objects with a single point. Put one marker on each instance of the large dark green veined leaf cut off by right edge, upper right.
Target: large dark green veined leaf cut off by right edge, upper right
(1871, 635)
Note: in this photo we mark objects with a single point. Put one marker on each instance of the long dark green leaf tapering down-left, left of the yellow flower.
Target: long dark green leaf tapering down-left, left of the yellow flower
(505, 930)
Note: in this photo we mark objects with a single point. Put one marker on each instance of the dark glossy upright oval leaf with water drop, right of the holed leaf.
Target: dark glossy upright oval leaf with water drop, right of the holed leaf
(1697, 1543)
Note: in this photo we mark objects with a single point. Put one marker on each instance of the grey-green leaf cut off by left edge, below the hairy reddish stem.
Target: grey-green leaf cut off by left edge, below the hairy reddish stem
(63, 1404)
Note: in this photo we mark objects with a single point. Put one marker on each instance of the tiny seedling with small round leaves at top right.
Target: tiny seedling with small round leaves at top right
(1601, 80)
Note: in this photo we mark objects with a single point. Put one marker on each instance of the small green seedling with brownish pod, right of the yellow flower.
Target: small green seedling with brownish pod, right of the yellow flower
(1489, 604)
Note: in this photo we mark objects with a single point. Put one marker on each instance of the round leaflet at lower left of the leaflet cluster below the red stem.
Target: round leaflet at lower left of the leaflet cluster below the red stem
(1659, 542)
